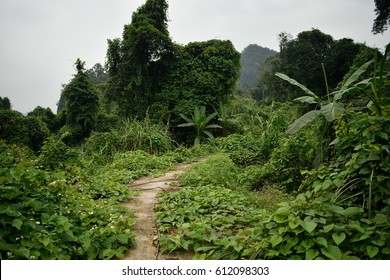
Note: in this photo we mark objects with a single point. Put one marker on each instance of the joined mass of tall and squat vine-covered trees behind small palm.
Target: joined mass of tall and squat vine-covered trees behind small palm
(148, 73)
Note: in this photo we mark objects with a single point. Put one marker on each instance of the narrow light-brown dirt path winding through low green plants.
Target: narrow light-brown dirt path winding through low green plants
(145, 225)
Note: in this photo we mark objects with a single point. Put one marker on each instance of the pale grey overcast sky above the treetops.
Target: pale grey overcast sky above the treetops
(41, 39)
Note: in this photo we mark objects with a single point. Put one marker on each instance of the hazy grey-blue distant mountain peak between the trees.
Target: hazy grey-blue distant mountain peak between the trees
(251, 58)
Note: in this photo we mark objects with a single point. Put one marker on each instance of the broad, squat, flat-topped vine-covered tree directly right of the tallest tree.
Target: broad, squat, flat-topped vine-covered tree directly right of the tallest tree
(205, 73)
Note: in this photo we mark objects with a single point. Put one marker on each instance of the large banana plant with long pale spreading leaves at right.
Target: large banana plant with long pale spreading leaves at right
(330, 109)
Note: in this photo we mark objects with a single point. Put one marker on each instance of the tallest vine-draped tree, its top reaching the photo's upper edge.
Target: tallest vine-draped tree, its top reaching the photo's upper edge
(137, 64)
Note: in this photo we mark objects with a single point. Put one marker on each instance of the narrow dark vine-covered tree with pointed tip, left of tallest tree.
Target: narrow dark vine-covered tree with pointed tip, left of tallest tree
(81, 103)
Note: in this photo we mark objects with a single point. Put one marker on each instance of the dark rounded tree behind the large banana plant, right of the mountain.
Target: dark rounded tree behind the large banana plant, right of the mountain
(301, 59)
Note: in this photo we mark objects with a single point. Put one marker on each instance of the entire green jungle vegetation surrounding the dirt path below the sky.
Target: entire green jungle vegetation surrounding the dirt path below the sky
(297, 170)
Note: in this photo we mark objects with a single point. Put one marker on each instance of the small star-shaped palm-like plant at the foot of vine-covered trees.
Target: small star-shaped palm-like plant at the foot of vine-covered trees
(200, 121)
